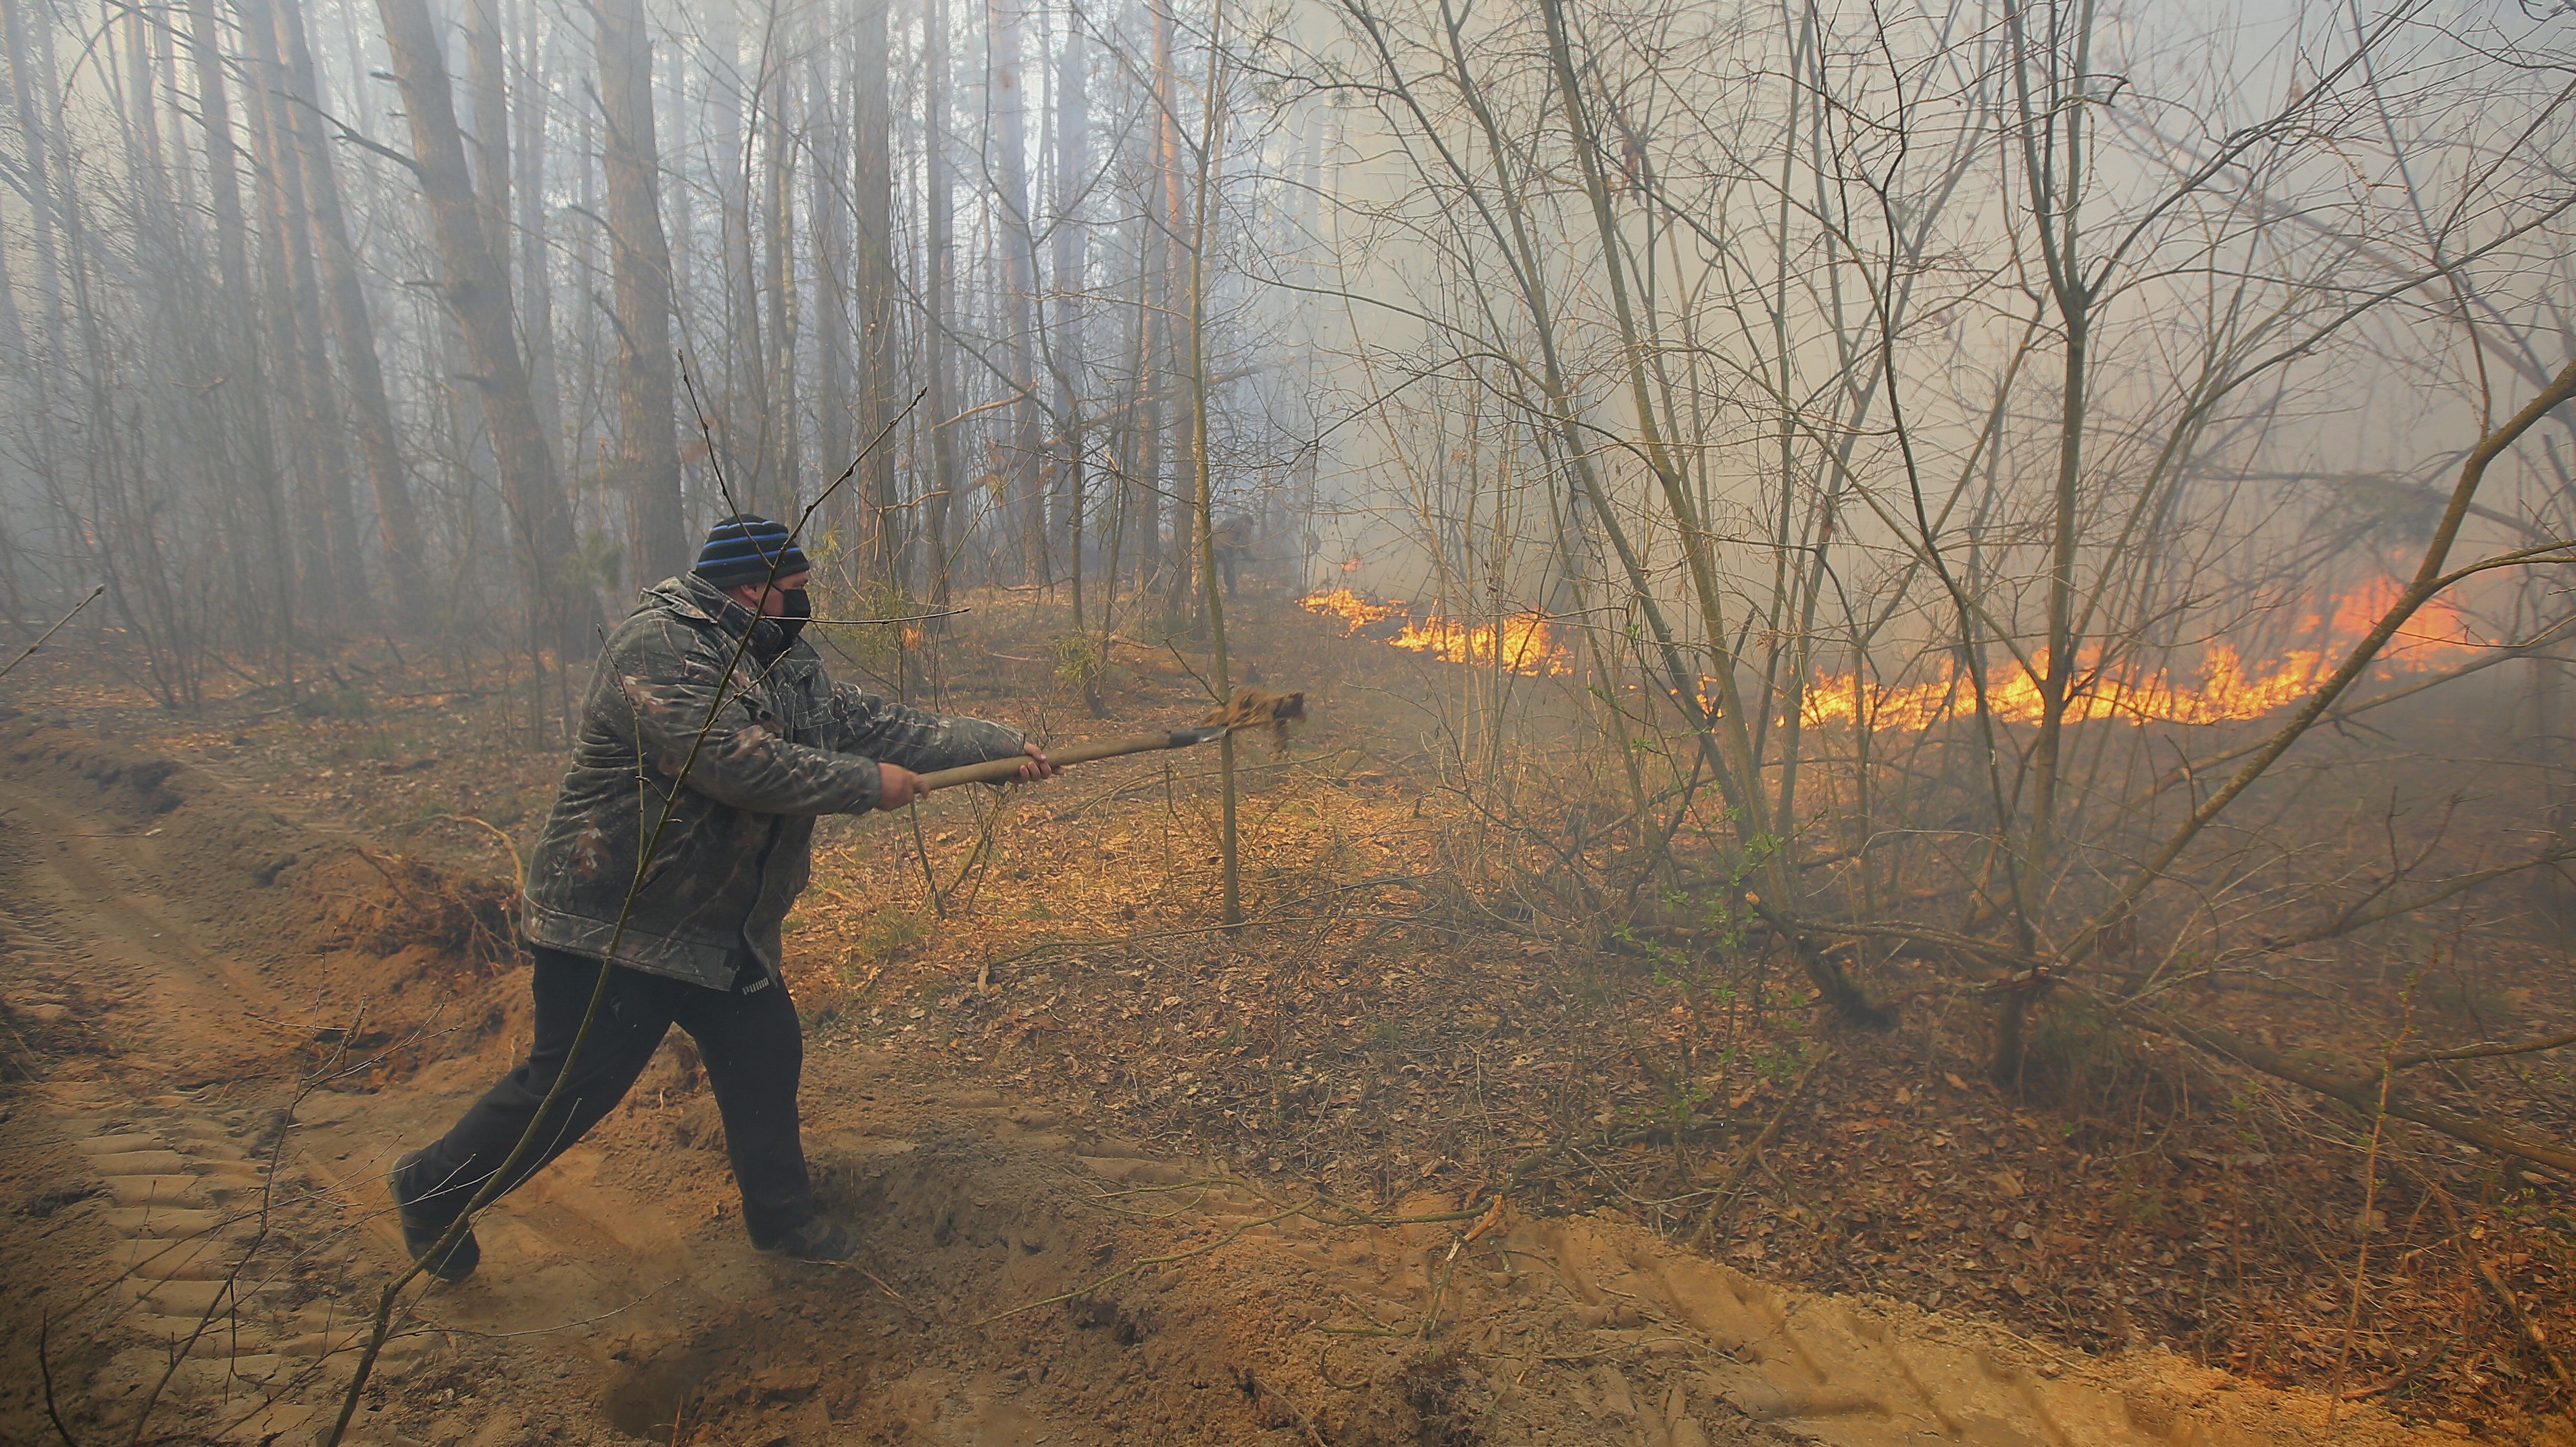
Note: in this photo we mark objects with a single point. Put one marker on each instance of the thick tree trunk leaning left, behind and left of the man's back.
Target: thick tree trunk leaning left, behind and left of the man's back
(478, 295)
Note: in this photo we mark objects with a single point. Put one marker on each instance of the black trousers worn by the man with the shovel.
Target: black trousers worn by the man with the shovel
(753, 1054)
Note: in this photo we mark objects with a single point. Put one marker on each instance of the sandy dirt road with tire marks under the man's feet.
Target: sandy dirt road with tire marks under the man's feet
(218, 1041)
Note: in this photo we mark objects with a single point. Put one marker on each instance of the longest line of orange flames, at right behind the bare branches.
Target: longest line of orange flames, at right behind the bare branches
(2230, 691)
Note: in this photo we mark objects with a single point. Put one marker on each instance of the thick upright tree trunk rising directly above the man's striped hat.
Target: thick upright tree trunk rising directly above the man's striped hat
(640, 261)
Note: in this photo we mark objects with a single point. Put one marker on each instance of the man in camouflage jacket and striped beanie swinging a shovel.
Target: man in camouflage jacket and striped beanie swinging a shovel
(710, 745)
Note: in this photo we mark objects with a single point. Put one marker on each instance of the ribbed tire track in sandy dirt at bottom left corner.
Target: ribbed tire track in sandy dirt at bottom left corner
(200, 1312)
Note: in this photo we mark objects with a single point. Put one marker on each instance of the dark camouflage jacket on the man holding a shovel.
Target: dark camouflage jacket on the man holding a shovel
(784, 748)
